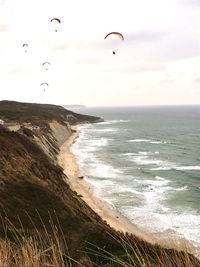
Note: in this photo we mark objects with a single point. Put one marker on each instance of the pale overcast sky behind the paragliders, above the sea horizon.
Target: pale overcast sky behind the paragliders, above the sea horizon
(157, 63)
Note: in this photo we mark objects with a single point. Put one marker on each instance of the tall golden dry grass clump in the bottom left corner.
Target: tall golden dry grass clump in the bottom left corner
(34, 250)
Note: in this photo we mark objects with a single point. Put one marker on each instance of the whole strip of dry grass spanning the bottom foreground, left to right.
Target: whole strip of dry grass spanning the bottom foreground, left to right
(50, 250)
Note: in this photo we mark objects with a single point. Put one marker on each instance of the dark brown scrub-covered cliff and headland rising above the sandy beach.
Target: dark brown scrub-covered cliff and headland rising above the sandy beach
(33, 191)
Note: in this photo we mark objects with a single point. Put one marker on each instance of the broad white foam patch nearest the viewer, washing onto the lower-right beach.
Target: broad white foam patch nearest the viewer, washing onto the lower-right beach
(185, 225)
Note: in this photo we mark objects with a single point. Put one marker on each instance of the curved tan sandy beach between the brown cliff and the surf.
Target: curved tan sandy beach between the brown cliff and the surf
(68, 161)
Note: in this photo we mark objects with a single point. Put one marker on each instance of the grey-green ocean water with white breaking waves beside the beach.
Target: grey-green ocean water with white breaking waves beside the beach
(145, 161)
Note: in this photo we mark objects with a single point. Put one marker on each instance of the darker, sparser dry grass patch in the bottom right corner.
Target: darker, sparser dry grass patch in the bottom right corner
(140, 255)
